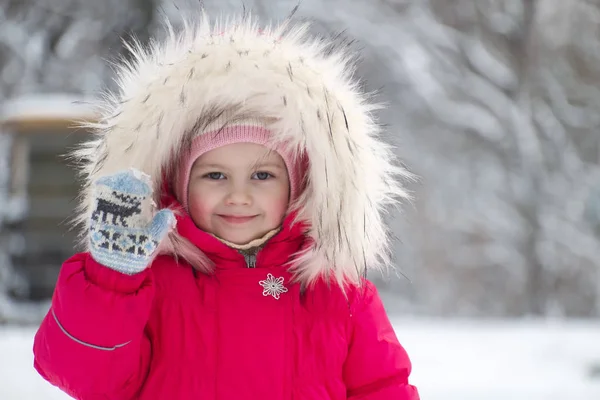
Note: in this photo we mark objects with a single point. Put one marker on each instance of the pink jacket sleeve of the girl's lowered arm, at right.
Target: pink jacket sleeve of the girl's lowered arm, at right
(377, 366)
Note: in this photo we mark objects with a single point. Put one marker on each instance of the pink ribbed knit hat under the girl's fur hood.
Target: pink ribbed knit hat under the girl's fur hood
(217, 134)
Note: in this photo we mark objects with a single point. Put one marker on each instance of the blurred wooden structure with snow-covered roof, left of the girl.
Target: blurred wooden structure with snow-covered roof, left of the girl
(43, 130)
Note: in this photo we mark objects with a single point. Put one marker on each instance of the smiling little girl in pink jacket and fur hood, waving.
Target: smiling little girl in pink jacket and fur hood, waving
(234, 203)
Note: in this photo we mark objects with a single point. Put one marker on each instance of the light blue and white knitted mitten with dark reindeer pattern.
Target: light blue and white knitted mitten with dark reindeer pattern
(122, 237)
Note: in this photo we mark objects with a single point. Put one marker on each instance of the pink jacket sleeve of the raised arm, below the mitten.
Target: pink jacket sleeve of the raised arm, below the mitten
(92, 344)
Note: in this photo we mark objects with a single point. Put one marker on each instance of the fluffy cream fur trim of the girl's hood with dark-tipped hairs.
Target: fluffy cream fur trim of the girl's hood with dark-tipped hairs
(306, 85)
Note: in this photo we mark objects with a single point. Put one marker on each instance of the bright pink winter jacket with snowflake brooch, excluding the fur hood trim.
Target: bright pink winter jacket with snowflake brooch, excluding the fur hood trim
(173, 333)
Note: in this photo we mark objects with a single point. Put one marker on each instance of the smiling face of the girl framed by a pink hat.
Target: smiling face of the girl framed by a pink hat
(238, 192)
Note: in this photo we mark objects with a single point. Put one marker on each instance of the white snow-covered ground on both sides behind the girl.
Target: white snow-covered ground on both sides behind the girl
(452, 360)
